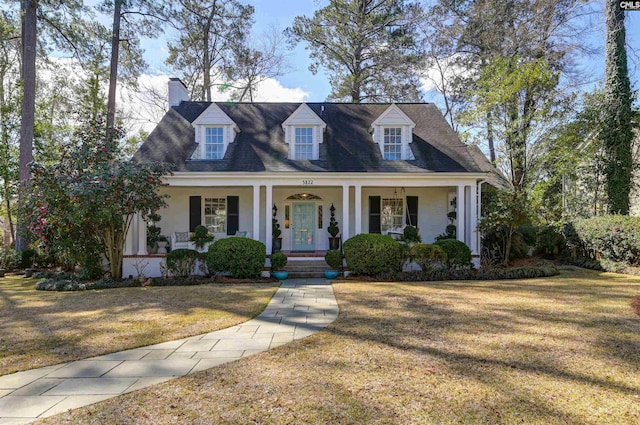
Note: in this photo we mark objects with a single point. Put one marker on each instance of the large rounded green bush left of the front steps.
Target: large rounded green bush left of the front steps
(242, 257)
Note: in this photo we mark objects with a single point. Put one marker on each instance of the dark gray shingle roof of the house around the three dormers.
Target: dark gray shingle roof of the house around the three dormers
(347, 145)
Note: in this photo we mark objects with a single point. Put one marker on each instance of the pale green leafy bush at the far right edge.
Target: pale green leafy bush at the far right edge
(612, 237)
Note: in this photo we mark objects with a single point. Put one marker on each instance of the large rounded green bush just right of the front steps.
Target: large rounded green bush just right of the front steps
(371, 254)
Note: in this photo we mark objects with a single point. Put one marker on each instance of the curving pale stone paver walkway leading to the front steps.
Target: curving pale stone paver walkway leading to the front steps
(298, 309)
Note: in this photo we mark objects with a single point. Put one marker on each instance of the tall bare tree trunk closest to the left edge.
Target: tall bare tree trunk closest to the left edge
(29, 38)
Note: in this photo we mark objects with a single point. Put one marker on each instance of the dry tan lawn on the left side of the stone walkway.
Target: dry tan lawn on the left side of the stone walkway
(40, 328)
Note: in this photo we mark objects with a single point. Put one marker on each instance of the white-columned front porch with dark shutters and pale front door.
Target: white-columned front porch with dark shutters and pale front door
(245, 206)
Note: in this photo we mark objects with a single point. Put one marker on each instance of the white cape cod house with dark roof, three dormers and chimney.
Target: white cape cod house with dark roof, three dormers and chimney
(381, 166)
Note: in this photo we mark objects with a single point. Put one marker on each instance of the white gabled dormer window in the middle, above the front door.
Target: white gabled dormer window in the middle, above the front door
(303, 133)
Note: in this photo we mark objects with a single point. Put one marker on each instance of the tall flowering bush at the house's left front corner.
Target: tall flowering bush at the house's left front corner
(84, 204)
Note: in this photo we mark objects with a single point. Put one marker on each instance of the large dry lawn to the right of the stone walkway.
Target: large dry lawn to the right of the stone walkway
(560, 350)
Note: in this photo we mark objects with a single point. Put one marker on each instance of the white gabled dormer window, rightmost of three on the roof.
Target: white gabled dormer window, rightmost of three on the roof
(392, 131)
